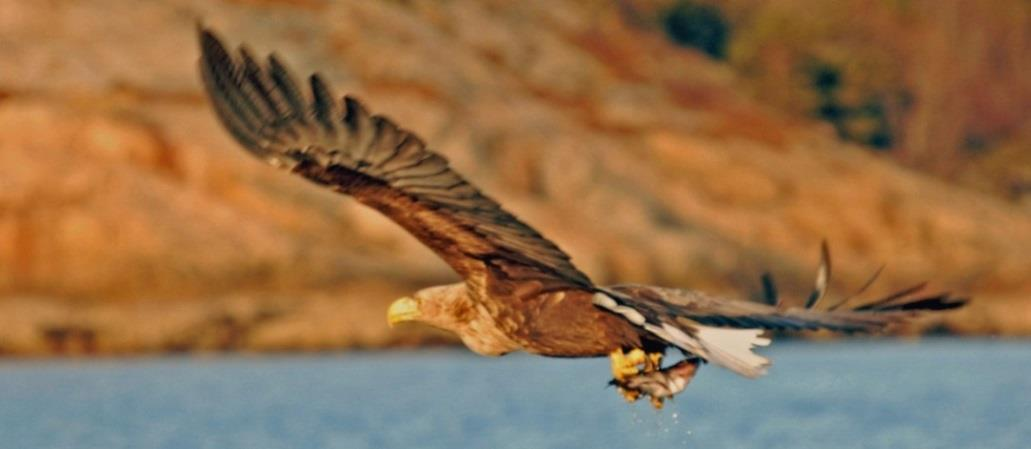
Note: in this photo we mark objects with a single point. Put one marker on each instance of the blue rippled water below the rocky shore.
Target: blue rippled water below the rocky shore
(867, 395)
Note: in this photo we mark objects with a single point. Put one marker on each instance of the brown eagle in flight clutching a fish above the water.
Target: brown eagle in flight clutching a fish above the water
(520, 292)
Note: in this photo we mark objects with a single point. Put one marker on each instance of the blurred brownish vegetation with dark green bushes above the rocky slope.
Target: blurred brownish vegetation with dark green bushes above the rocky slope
(938, 85)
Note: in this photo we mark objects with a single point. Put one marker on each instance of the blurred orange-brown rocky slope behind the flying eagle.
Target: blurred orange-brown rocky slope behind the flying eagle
(130, 222)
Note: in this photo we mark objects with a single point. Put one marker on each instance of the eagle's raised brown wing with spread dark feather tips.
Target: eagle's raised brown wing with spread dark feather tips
(340, 145)
